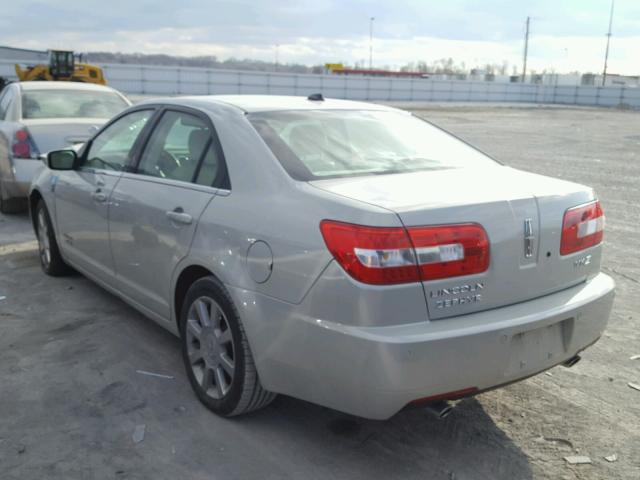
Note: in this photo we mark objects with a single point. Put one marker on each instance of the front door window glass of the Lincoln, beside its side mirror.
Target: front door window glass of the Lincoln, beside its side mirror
(111, 149)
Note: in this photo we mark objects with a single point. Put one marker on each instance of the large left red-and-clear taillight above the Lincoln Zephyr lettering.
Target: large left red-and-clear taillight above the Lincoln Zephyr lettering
(392, 255)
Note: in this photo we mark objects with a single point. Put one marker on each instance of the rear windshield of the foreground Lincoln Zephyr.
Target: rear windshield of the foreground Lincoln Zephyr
(317, 144)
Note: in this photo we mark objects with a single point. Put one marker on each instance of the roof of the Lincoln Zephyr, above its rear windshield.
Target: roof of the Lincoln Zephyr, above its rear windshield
(269, 103)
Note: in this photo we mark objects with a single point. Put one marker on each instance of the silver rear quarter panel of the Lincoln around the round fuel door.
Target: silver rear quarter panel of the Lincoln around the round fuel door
(288, 221)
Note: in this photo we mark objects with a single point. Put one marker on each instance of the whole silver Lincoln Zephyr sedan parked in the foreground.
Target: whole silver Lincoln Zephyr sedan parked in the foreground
(343, 253)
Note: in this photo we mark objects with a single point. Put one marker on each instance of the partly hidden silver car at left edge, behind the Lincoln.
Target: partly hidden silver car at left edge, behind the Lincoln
(36, 117)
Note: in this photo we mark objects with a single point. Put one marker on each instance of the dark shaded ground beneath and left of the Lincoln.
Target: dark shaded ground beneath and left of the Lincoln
(71, 399)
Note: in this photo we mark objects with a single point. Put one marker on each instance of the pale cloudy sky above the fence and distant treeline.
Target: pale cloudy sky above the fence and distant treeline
(566, 35)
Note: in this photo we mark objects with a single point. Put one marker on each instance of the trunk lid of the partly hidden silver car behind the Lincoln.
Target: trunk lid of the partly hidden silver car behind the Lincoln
(57, 134)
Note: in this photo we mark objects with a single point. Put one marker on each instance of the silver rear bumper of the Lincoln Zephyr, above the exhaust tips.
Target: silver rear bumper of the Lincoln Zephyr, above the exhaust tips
(374, 372)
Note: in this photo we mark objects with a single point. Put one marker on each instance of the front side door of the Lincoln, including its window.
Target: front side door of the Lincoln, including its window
(82, 195)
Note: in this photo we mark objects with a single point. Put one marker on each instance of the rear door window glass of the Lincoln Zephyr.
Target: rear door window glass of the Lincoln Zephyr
(176, 147)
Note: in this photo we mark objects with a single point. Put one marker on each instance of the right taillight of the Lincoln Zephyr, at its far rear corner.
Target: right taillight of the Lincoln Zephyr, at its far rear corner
(582, 227)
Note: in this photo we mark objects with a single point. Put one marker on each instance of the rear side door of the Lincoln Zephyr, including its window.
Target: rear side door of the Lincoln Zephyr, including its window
(155, 210)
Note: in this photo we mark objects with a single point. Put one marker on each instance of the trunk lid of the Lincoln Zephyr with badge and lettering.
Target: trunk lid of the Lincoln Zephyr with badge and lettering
(505, 202)
